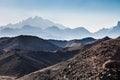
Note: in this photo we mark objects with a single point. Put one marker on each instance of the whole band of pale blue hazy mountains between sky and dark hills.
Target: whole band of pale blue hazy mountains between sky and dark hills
(46, 29)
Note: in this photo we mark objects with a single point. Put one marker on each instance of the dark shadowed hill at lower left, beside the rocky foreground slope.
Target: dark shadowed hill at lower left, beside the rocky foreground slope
(20, 62)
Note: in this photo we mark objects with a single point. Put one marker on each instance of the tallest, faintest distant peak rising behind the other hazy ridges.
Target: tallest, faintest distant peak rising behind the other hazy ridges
(36, 22)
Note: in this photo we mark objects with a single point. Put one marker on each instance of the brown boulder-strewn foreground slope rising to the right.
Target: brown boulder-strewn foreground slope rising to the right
(99, 62)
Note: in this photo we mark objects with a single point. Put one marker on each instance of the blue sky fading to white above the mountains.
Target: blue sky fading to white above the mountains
(91, 14)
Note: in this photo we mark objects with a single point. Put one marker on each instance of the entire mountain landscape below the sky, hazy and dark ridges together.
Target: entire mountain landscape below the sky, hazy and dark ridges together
(39, 49)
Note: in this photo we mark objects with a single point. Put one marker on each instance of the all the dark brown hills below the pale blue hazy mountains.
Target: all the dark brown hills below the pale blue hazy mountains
(27, 57)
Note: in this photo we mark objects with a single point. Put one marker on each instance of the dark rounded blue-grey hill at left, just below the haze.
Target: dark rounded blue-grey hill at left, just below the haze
(27, 43)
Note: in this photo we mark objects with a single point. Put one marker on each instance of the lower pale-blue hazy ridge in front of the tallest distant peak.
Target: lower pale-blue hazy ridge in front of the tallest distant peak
(48, 33)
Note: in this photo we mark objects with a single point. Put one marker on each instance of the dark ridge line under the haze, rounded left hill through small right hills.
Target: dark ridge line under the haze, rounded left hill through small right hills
(33, 43)
